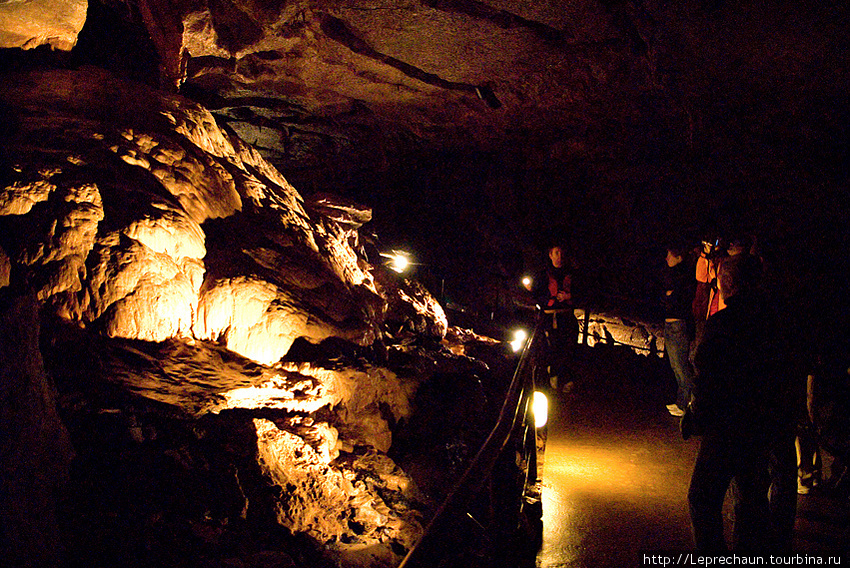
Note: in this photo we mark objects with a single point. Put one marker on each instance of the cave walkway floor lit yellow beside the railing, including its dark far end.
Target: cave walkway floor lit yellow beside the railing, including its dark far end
(616, 472)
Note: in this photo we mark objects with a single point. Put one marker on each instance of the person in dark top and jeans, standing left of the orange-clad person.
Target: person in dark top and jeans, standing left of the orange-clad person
(678, 293)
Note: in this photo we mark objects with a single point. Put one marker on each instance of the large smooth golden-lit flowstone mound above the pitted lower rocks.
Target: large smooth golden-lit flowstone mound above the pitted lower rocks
(122, 207)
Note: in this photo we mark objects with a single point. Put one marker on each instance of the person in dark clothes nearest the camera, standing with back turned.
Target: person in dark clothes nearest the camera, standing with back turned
(742, 404)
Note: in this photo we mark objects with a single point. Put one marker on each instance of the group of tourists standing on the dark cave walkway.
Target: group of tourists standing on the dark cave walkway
(729, 352)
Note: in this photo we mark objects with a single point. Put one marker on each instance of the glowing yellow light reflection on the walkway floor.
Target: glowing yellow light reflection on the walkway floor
(613, 488)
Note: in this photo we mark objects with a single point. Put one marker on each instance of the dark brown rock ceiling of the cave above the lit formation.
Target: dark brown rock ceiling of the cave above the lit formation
(612, 118)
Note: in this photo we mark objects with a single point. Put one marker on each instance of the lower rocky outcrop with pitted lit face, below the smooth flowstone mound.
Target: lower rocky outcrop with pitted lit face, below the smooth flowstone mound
(298, 445)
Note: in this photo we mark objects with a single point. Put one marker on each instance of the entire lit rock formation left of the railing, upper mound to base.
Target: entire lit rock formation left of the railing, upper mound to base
(229, 368)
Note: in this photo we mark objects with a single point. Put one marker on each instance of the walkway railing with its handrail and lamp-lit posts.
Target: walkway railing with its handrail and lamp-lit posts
(515, 423)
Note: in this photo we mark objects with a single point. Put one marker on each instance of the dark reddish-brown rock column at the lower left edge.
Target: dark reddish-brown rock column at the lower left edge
(35, 450)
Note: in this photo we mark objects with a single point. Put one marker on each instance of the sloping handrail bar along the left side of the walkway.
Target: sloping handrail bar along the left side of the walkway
(515, 405)
